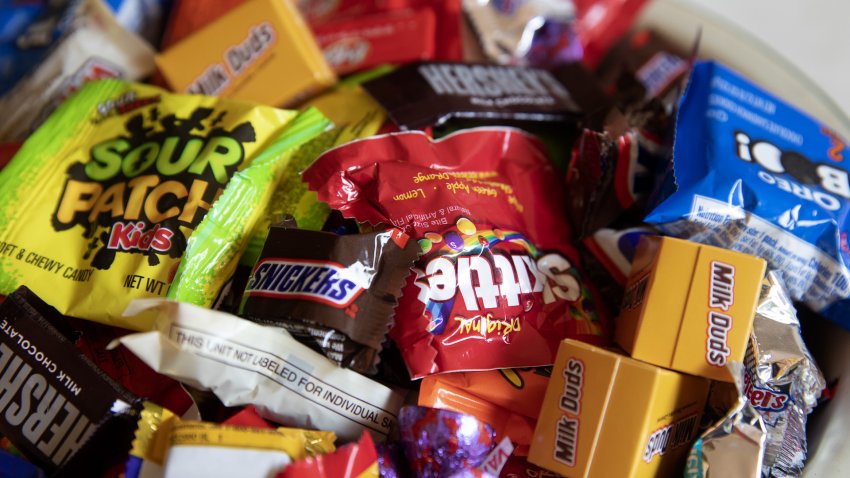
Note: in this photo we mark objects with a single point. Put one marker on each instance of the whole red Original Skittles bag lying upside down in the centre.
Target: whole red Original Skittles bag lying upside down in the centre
(498, 284)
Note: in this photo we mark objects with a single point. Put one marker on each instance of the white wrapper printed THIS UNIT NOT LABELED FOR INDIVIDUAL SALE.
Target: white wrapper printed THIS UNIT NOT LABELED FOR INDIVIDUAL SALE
(245, 363)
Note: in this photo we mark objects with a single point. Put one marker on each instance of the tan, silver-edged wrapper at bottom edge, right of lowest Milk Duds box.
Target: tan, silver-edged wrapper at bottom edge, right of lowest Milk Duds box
(734, 446)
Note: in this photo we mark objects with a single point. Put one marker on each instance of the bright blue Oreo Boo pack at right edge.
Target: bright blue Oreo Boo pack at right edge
(756, 175)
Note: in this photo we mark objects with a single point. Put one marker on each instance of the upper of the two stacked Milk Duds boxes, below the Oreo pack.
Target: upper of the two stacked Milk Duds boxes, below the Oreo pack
(689, 307)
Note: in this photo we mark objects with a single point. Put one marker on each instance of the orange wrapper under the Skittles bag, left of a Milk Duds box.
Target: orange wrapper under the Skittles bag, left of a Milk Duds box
(509, 400)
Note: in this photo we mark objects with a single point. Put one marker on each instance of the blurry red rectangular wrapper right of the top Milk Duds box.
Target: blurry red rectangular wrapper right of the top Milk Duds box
(359, 43)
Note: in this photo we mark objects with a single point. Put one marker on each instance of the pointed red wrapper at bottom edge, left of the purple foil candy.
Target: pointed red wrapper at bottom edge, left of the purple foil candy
(355, 460)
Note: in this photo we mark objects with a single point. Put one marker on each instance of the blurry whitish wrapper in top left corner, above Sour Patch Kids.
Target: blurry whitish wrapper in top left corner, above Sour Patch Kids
(95, 47)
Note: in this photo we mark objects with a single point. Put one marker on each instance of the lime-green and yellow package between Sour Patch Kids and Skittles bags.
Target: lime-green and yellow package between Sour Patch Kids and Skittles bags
(269, 189)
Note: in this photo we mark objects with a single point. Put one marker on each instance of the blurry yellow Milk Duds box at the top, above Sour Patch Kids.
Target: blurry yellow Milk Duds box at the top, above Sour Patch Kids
(260, 51)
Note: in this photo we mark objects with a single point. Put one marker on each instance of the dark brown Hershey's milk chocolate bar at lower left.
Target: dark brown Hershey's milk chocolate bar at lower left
(81, 422)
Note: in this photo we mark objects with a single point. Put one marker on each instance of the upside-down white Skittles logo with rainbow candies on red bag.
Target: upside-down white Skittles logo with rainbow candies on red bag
(484, 279)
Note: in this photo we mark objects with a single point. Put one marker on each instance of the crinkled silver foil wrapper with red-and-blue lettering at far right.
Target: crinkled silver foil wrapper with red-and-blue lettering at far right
(782, 381)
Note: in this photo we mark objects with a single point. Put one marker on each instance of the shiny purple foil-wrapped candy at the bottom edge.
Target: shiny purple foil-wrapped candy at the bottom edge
(440, 443)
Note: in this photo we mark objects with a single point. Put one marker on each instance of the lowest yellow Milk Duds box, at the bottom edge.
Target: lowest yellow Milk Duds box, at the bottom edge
(607, 415)
